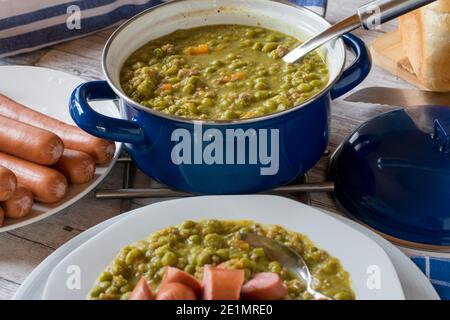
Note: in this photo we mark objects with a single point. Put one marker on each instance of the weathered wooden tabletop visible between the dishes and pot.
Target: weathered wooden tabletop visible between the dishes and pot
(23, 249)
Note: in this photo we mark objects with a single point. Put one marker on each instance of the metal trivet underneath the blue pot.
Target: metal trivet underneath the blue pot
(299, 190)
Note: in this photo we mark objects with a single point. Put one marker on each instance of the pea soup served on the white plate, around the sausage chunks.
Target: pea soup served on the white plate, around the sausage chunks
(191, 246)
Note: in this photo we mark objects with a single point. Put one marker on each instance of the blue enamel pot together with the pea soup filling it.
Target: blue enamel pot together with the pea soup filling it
(208, 105)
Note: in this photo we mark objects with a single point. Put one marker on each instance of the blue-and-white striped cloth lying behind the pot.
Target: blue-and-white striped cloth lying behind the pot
(30, 25)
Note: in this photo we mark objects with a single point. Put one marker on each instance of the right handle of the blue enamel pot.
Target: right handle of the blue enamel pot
(357, 71)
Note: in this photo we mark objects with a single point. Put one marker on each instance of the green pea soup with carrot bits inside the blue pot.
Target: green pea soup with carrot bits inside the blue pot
(221, 72)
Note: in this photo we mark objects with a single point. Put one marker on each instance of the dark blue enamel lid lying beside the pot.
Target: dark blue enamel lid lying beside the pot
(393, 174)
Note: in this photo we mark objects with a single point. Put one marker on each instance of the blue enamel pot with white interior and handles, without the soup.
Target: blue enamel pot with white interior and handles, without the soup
(220, 157)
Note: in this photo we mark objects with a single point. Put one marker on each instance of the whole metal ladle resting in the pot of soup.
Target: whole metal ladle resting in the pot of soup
(368, 16)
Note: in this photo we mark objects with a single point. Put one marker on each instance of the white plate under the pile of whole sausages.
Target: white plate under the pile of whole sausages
(48, 91)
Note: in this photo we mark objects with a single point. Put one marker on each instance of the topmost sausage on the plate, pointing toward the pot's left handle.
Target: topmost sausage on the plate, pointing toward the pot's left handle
(102, 151)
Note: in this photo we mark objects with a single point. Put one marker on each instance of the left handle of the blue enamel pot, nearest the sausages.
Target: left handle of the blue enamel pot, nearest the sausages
(97, 124)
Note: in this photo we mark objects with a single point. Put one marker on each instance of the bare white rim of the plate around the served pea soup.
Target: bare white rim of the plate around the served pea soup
(361, 257)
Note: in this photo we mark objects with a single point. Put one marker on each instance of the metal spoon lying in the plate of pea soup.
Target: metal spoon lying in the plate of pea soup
(287, 257)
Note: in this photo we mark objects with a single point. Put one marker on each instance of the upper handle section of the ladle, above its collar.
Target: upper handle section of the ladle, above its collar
(380, 11)
